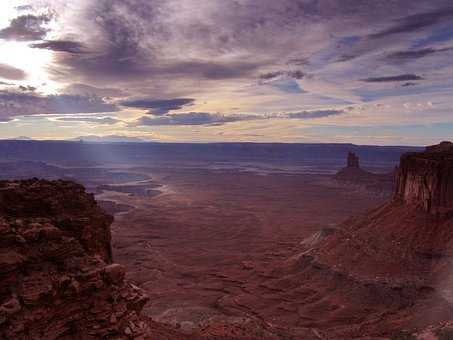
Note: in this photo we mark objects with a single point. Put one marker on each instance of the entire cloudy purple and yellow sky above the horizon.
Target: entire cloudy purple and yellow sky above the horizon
(322, 71)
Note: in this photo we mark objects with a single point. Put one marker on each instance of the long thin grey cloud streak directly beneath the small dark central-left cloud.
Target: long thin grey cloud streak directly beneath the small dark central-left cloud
(205, 118)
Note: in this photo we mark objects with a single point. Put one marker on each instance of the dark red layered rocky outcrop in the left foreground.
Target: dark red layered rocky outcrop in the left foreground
(57, 279)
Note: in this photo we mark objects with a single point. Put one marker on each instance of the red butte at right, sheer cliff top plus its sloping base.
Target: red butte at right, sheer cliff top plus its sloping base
(389, 270)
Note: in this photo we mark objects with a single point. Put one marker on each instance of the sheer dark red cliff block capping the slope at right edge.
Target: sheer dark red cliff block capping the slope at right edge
(425, 179)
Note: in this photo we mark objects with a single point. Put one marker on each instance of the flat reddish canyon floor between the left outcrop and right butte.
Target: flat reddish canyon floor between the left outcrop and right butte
(212, 236)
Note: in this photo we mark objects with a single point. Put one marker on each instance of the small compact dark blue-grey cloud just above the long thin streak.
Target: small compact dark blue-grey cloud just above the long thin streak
(160, 106)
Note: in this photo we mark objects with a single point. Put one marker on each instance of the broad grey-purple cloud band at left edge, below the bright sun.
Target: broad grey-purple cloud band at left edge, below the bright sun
(28, 103)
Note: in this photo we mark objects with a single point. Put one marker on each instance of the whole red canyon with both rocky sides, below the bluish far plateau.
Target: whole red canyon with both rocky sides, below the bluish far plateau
(224, 254)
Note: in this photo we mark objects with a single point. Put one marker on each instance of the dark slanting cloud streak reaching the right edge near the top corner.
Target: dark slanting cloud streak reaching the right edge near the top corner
(417, 22)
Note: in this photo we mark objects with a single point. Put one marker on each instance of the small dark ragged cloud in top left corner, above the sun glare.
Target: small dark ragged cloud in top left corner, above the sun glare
(27, 27)
